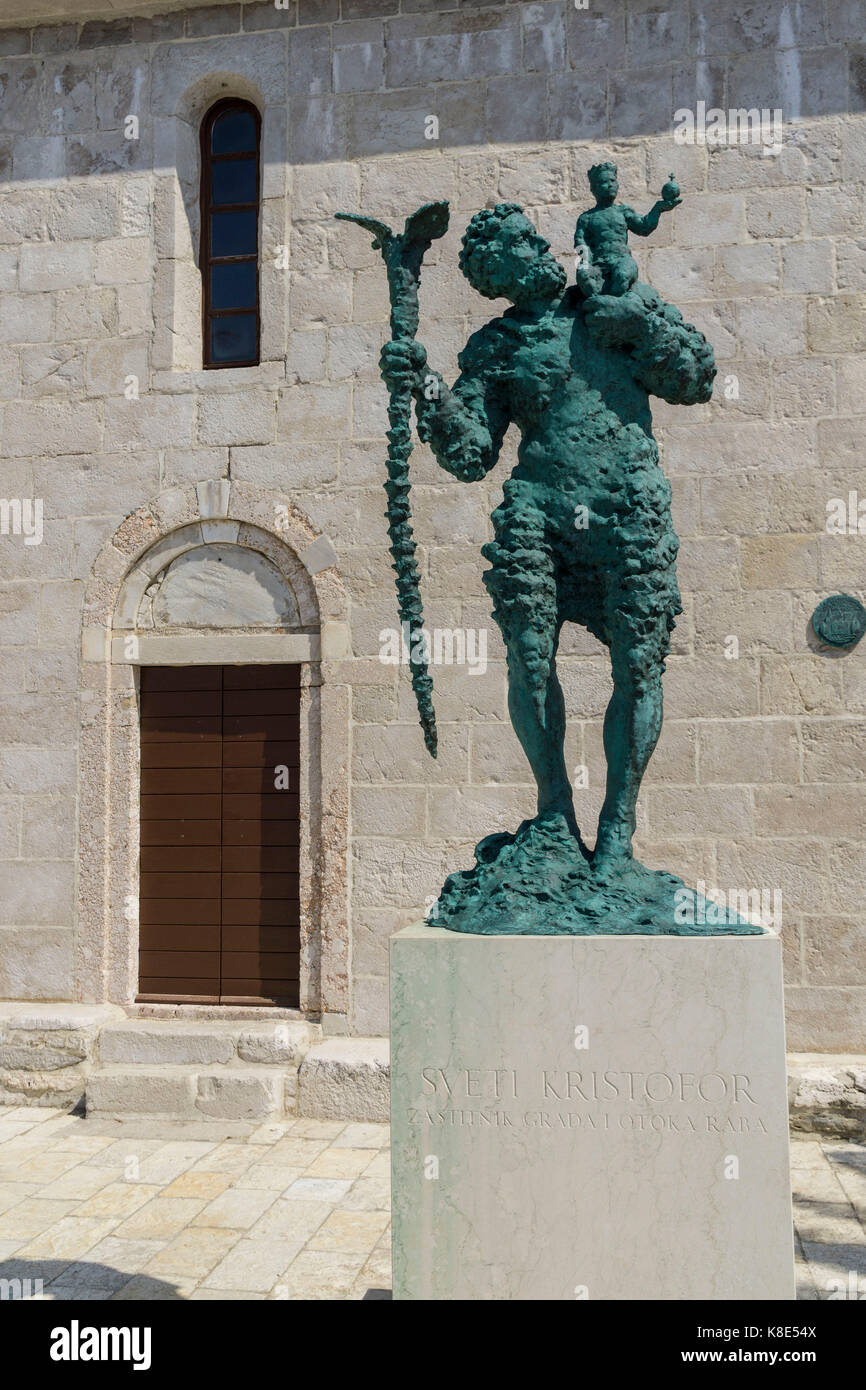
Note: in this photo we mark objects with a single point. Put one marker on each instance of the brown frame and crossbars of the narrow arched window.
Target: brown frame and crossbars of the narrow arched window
(206, 208)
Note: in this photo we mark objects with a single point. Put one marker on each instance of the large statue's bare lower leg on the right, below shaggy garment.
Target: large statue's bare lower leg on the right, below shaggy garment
(633, 723)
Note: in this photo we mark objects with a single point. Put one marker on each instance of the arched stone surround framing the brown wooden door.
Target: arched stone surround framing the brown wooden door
(106, 939)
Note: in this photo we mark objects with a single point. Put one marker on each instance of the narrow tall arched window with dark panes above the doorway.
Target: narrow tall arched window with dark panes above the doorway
(231, 181)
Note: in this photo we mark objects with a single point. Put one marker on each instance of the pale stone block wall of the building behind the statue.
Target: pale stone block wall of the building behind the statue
(760, 782)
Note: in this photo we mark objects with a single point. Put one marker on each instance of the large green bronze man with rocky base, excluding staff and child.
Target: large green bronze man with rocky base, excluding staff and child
(583, 536)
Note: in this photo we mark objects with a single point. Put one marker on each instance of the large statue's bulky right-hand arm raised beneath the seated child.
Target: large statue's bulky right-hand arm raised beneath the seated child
(669, 358)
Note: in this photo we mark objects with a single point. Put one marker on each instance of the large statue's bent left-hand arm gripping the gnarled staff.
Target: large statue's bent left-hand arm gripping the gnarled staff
(465, 425)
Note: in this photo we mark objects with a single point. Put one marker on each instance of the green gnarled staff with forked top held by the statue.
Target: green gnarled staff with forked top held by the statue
(404, 255)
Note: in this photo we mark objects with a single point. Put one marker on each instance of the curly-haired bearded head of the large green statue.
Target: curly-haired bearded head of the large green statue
(505, 256)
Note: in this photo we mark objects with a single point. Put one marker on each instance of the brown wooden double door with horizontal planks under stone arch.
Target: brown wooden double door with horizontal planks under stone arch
(220, 911)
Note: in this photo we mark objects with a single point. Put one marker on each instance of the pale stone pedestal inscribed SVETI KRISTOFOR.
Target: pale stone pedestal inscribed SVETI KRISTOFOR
(589, 1118)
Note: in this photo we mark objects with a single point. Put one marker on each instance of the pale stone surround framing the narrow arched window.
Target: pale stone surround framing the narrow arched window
(177, 174)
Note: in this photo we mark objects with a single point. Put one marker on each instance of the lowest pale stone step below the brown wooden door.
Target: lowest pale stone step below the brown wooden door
(194, 1093)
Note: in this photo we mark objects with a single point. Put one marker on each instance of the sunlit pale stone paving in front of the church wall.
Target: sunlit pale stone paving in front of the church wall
(297, 1210)
